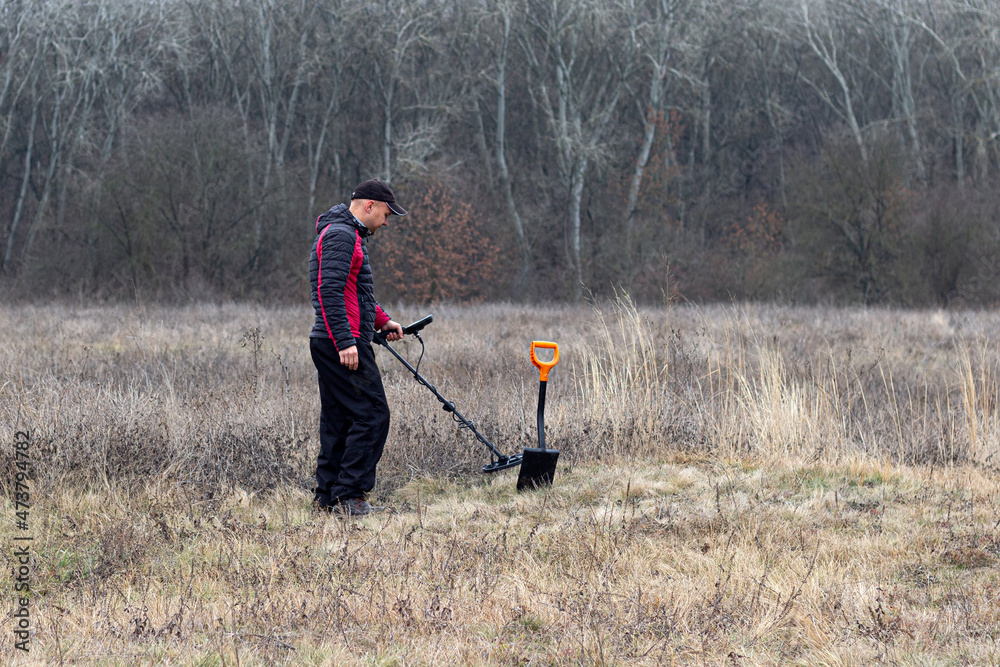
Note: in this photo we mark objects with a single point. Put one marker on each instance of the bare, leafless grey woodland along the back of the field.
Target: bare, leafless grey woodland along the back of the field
(807, 150)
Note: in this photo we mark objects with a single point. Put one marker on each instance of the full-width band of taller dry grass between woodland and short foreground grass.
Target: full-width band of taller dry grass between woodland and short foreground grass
(217, 396)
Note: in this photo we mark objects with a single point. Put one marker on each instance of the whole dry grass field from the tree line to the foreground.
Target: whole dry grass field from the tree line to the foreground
(741, 485)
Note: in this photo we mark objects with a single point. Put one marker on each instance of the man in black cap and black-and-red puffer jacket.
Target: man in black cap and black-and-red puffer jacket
(354, 421)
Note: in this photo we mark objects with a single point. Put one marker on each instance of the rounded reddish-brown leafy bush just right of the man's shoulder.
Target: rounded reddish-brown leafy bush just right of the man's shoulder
(438, 252)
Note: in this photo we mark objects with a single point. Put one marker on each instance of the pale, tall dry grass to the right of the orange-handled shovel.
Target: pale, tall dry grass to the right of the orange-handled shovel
(808, 384)
